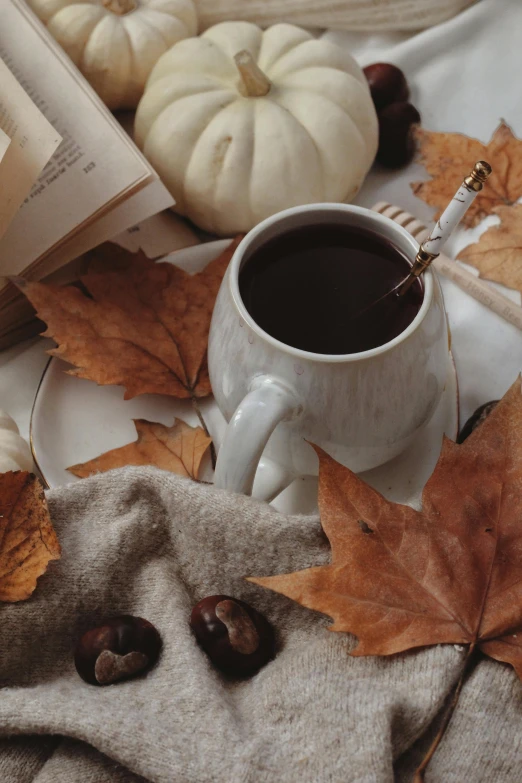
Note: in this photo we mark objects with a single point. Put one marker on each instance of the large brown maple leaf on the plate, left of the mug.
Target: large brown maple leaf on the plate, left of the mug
(144, 326)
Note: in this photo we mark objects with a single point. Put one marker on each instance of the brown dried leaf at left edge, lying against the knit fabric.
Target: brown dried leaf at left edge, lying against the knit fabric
(27, 538)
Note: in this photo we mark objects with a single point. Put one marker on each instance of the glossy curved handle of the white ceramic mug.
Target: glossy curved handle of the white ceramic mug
(268, 402)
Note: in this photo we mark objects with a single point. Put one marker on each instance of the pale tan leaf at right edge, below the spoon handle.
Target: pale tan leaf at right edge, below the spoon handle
(498, 253)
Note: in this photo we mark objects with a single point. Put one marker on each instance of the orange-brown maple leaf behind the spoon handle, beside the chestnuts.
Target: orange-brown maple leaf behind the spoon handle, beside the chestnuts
(449, 156)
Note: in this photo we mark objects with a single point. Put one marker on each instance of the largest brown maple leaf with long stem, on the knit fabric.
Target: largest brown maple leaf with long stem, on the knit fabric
(450, 573)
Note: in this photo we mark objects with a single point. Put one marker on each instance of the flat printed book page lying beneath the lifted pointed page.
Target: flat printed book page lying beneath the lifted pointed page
(96, 166)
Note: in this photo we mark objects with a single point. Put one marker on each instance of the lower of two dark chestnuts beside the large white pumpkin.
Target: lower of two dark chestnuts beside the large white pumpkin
(396, 137)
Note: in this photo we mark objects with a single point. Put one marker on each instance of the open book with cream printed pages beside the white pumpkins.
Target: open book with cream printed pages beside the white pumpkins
(91, 183)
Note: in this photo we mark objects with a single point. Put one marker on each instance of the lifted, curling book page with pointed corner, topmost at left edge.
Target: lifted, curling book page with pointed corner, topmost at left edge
(31, 140)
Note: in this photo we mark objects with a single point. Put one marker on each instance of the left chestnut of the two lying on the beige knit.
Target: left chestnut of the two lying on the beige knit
(119, 648)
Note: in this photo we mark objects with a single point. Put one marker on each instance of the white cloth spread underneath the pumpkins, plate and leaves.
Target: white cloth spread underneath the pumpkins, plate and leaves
(465, 76)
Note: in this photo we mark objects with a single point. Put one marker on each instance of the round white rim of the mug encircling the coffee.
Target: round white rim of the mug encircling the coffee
(235, 264)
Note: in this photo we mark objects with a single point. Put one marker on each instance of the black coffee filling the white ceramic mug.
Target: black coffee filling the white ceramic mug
(308, 287)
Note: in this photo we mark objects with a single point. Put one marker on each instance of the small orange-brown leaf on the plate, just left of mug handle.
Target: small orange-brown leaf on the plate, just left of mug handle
(179, 448)
